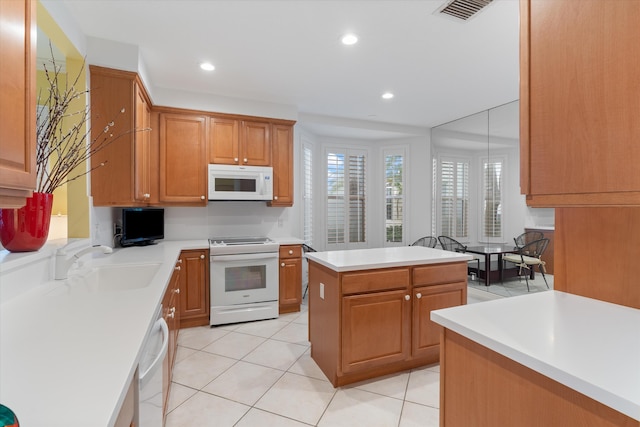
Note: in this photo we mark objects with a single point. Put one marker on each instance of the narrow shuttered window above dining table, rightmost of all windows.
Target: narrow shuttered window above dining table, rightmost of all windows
(492, 197)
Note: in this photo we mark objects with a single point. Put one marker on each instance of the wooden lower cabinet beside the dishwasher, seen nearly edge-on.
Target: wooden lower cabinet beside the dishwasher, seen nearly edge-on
(171, 315)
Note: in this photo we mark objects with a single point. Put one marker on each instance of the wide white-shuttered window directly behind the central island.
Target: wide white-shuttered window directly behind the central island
(346, 197)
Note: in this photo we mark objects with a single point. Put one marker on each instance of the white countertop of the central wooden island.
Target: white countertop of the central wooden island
(400, 256)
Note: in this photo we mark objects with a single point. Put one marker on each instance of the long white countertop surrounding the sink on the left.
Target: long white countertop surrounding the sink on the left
(67, 358)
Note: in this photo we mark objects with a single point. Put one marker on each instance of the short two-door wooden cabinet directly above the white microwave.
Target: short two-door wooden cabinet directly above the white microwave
(239, 142)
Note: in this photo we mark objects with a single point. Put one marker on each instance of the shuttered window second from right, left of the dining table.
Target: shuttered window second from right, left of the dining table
(454, 198)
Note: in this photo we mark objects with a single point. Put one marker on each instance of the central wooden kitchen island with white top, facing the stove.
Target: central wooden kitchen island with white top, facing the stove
(369, 308)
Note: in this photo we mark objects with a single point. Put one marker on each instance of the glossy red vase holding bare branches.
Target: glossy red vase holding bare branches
(26, 229)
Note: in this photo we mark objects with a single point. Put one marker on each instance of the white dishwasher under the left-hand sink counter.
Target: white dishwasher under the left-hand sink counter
(150, 373)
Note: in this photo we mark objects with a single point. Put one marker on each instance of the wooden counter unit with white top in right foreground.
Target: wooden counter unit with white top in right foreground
(544, 359)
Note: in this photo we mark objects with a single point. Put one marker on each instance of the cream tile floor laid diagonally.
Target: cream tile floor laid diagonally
(261, 374)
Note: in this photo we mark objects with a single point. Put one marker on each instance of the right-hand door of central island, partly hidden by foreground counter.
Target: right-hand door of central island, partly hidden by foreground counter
(426, 334)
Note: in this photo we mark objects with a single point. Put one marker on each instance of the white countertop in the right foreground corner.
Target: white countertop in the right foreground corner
(588, 345)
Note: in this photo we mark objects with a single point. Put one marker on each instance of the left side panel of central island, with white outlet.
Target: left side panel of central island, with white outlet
(324, 319)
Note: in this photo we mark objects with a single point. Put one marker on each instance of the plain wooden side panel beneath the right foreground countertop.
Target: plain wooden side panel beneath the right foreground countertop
(496, 391)
